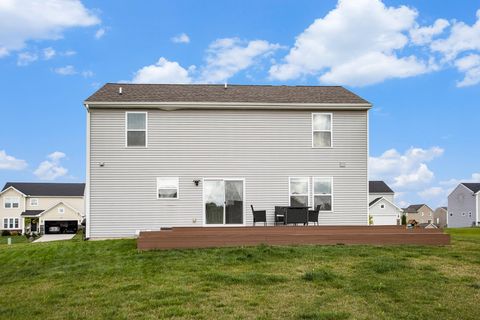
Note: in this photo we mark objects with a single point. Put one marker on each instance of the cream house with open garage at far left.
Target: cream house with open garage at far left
(41, 207)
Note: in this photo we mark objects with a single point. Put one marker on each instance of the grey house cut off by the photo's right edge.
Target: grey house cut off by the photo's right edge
(463, 205)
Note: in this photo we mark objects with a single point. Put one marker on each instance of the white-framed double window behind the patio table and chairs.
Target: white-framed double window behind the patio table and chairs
(320, 195)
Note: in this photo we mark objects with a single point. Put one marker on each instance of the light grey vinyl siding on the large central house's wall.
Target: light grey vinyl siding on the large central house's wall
(264, 147)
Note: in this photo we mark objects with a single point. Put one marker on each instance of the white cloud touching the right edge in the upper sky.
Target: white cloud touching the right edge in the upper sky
(462, 38)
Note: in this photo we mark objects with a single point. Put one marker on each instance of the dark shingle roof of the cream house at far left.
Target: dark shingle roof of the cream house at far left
(48, 189)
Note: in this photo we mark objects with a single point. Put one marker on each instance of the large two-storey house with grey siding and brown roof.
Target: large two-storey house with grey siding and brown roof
(200, 155)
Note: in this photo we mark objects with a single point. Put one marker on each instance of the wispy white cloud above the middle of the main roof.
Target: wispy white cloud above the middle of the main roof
(225, 57)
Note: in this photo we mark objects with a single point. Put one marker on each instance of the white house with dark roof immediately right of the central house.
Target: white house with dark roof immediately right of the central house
(382, 208)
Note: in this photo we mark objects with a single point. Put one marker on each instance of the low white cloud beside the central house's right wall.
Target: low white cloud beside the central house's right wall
(404, 170)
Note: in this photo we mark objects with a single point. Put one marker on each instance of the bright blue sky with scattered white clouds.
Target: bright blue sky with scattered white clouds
(417, 62)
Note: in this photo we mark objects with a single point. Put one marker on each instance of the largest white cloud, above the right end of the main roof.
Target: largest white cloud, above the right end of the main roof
(356, 40)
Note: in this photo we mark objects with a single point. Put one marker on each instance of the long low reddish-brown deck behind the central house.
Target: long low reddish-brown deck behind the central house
(210, 237)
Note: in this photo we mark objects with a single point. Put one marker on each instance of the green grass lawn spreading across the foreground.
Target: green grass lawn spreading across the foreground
(112, 280)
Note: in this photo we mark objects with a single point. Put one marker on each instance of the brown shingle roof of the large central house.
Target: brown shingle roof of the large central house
(217, 93)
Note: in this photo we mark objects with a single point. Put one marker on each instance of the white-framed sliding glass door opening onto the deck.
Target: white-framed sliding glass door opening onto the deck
(223, 201)
